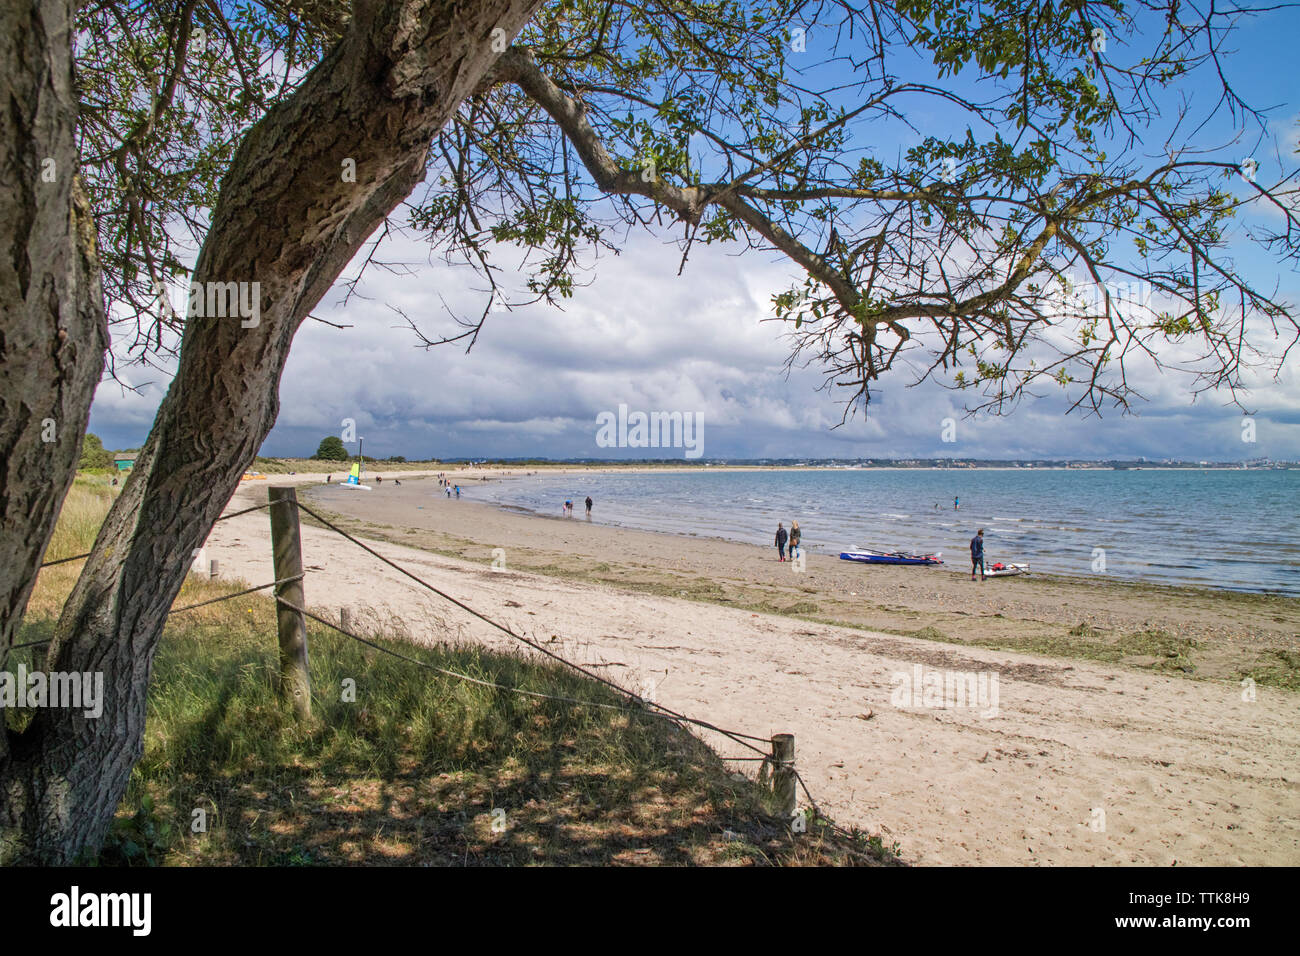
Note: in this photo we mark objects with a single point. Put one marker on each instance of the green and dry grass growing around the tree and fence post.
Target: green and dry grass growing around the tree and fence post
(404, 765)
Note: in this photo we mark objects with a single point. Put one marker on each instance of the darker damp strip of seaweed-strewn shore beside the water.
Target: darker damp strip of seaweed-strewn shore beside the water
(1204, 633)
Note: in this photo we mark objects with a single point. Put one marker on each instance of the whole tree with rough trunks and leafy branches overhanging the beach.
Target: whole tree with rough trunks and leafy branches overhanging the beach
(950, 176)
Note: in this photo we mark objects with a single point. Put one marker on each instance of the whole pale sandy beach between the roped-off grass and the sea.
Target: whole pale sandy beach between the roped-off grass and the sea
(1124, 738)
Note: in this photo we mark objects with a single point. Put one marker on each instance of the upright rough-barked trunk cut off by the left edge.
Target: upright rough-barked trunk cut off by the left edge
(53, 328)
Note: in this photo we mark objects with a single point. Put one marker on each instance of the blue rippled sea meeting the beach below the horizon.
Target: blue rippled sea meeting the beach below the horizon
(1237, 530)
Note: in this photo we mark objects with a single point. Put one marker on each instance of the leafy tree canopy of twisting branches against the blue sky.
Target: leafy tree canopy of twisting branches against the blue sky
(1061, 213)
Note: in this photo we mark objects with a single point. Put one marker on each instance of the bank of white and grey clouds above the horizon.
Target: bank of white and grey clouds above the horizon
(644, 338)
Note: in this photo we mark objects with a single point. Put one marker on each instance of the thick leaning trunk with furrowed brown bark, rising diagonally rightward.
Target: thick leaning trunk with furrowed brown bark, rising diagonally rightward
(289, 220)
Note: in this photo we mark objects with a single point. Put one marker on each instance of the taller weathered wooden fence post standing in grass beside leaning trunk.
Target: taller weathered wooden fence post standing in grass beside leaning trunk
(296, 680)
